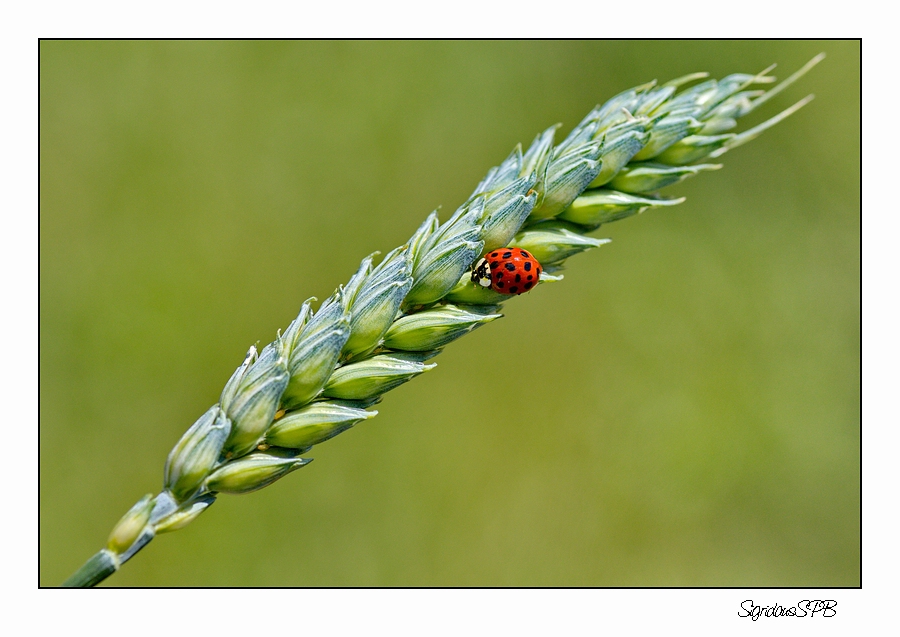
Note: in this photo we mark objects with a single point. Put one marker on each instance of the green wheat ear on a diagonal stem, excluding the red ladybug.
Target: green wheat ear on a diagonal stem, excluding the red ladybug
(382, 328)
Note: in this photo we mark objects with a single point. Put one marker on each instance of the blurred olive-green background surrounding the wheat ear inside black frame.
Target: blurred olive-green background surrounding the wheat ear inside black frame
(694, 418)
